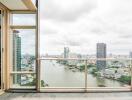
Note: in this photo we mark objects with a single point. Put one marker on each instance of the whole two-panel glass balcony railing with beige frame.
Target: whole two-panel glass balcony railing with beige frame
(85, 73)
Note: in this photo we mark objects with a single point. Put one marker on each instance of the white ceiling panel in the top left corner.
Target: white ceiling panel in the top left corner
(14, 4)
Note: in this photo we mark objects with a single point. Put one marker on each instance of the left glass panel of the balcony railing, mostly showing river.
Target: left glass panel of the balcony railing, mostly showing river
(62, 73)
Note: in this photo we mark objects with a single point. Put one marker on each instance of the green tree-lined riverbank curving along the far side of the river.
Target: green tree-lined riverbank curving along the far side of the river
(96, 73)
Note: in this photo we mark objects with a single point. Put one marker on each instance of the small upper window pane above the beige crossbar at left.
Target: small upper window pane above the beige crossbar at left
(23, 19)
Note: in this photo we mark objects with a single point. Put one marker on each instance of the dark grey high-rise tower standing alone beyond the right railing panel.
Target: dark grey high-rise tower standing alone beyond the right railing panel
(101, 53)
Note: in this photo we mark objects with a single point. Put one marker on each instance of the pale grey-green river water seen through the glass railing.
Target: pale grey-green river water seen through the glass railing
(58, 75)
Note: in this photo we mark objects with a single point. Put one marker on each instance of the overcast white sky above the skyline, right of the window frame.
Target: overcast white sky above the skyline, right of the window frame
(80, 24)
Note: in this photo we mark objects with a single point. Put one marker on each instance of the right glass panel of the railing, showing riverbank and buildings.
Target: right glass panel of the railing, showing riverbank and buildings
(112, 73)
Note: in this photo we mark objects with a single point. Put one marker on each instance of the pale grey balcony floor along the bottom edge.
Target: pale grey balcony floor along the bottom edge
(67, 96)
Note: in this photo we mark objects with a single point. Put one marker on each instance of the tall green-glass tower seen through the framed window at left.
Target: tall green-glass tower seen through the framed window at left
(16, 55)
